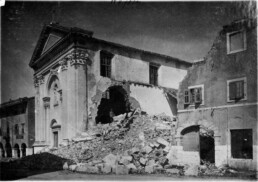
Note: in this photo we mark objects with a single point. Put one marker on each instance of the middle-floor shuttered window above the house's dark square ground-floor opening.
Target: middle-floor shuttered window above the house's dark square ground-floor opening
(236, 89)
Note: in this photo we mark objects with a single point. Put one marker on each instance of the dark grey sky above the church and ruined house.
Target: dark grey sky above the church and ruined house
(185, 30)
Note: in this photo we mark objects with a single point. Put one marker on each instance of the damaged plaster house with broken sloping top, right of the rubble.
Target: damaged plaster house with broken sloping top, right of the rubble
(217, 102)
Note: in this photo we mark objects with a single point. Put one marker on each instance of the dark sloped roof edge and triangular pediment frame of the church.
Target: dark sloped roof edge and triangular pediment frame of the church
(78, 37)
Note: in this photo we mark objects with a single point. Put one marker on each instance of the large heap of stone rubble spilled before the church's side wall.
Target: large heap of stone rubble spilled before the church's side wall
(132, 143)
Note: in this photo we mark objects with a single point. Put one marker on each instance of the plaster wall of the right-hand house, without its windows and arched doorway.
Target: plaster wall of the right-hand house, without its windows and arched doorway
(216, 113)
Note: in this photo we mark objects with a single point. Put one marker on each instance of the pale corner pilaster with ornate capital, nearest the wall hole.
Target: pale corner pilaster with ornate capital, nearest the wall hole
(77, 90)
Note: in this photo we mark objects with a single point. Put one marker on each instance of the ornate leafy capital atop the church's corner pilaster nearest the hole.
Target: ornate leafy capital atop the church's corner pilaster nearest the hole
(77, 57)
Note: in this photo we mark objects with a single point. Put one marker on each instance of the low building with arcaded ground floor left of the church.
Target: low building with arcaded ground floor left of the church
(17, 127)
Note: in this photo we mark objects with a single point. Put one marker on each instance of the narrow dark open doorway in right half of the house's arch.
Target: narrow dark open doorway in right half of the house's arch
(207, 146)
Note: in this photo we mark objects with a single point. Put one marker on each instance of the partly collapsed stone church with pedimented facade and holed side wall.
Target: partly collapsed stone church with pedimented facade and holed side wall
(81, 81)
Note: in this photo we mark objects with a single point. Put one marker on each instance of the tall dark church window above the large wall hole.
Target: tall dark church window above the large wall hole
(105, 64)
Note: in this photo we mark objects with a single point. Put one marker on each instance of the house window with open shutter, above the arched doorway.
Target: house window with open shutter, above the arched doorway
(194, 95)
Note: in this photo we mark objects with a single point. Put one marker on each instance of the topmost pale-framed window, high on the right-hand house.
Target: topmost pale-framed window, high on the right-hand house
(236, 41)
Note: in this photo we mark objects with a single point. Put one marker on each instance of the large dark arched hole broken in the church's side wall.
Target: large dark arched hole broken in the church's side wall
(114, 102)
